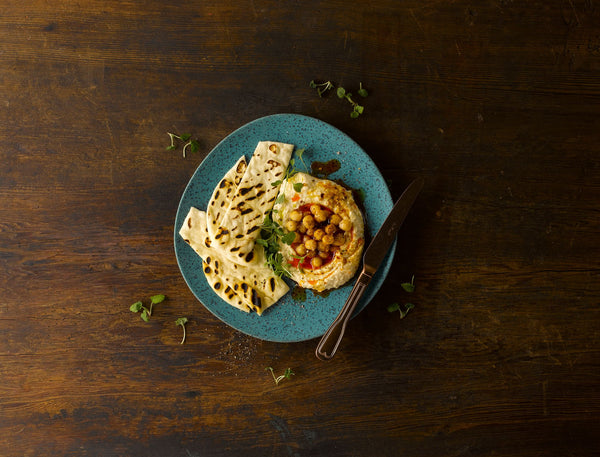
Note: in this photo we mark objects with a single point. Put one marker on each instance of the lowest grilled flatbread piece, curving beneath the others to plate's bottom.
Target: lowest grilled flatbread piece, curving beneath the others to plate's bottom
(254, 288)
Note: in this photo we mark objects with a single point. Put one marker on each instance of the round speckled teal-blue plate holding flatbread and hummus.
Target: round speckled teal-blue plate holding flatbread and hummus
(288, 320)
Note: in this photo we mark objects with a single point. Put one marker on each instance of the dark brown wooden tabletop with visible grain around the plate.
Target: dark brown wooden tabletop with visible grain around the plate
(496, 104)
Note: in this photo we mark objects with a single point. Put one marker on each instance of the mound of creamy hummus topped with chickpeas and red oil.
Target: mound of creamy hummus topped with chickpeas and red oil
(329, 231)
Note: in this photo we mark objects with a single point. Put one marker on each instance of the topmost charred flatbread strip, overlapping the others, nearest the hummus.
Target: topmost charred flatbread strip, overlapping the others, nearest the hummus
(253, 198)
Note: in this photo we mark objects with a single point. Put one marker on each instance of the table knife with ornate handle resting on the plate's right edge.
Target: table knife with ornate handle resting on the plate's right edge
(372, 258)
